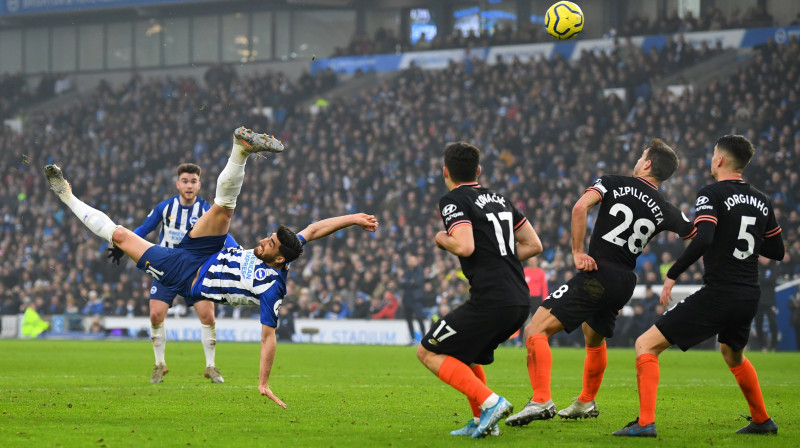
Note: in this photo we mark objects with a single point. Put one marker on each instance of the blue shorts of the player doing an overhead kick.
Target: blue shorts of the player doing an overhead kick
(175, 267)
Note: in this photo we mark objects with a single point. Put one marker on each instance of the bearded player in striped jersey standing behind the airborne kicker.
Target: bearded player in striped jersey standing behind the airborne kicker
(176, 216)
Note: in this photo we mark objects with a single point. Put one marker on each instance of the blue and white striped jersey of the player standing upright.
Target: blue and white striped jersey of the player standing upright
(176, 220)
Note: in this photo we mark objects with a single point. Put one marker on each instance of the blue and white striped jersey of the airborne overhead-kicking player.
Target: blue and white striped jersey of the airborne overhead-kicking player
(237, 277)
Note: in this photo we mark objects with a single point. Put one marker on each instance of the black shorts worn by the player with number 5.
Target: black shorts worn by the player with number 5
(711, 311)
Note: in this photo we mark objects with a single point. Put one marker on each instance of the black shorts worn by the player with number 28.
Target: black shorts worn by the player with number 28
(593, 297)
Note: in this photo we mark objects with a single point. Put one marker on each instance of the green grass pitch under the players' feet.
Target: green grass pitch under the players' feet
(97, 394)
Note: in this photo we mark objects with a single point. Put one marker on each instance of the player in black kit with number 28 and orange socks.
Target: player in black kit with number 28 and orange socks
(632, 212)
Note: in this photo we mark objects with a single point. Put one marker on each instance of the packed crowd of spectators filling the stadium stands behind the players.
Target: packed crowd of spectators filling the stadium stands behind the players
(546, 130)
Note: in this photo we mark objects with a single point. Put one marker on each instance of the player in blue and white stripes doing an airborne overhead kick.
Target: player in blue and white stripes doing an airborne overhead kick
(201, 267)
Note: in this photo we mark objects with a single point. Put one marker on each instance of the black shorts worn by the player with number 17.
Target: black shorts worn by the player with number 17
(471, 333)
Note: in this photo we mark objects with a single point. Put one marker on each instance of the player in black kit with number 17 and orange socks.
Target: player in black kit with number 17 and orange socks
(491, 238)
